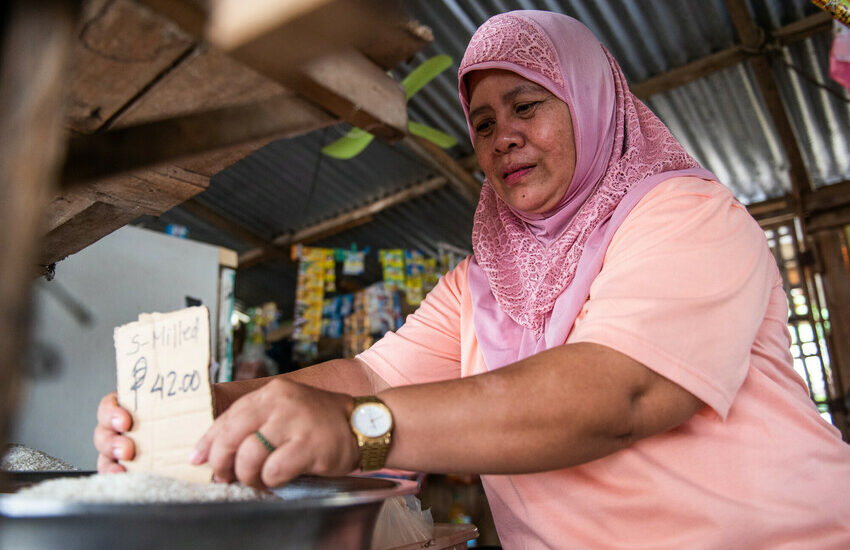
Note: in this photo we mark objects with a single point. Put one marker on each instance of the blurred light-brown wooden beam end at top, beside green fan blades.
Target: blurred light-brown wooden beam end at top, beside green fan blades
(311, 47)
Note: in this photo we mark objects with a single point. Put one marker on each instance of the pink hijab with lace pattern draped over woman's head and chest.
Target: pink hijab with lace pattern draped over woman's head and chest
(531, 273)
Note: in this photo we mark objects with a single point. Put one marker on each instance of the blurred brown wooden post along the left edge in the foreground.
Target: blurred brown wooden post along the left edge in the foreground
(35, 42)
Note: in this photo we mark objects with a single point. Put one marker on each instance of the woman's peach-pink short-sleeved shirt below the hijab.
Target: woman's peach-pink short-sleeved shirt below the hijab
(690, 289)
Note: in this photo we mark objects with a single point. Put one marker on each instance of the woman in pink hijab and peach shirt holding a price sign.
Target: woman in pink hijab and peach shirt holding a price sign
(613, 359)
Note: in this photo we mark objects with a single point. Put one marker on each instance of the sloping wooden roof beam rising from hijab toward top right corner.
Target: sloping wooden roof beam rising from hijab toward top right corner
(794, 32)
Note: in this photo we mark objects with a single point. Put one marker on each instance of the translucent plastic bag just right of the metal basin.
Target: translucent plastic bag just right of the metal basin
(402, 521)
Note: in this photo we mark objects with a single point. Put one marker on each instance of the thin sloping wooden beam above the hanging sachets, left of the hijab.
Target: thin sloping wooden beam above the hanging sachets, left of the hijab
(339, 223)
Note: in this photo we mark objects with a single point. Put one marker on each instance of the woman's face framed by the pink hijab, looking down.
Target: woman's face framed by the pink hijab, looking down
(523, 138)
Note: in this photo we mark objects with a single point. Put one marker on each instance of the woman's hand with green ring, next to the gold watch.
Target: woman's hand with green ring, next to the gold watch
(307, 427)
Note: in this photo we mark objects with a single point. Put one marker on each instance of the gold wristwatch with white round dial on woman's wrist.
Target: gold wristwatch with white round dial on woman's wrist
(372, 424)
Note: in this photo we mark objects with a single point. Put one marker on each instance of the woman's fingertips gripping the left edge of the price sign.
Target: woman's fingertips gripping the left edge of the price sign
(111, 445)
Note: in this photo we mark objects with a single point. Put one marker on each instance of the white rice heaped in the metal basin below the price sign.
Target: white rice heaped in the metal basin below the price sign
(137, 488)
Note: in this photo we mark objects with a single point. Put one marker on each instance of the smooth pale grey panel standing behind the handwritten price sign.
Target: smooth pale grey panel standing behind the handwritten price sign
(126, 273)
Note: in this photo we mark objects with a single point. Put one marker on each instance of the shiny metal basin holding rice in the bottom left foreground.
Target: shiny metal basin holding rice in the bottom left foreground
(313, 513)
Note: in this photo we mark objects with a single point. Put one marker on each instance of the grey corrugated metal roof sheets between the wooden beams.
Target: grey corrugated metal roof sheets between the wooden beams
(721, 119)
